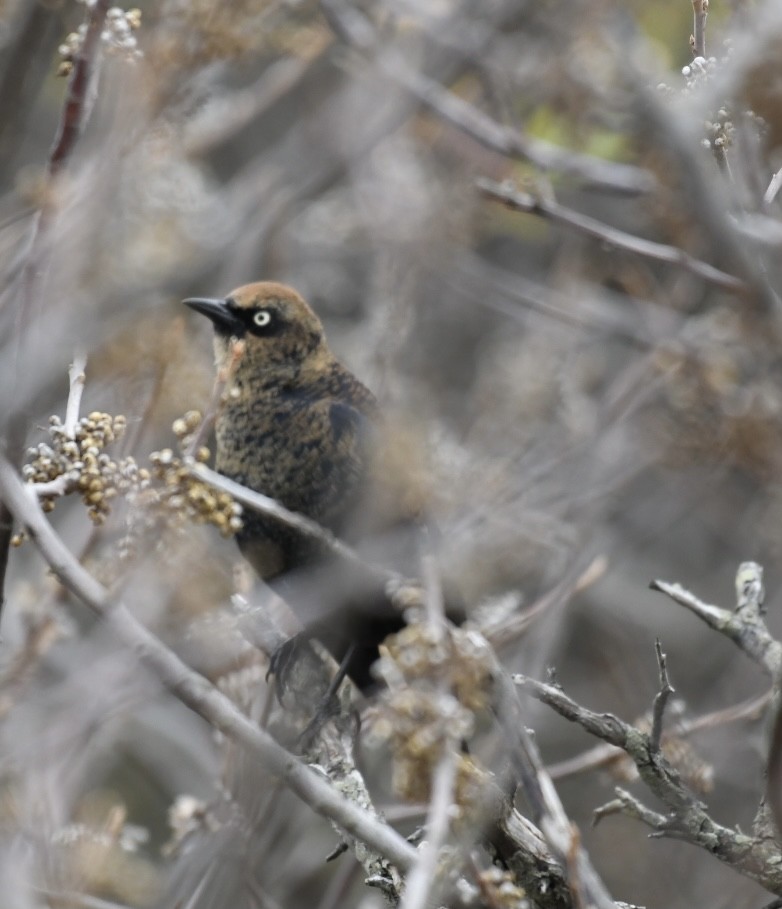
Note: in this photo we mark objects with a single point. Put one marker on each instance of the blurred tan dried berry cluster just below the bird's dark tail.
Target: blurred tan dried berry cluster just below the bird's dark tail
(437, 678)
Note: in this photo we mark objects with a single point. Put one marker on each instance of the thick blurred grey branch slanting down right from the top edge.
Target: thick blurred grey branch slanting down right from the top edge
(355, 29)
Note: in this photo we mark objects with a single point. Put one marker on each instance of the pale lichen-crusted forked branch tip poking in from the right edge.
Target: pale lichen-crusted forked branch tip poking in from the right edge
(745, 627)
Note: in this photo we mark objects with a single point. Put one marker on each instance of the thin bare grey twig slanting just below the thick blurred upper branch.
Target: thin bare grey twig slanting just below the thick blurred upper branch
(512, 198)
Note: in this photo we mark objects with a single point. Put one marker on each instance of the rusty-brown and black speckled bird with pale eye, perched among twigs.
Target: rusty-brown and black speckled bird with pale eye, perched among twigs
(297, 425)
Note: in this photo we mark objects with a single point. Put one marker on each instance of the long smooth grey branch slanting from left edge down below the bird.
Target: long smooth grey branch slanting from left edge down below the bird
(193, 689)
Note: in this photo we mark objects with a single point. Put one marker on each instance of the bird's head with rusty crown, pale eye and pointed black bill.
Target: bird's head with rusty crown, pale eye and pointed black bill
(278, 328)
